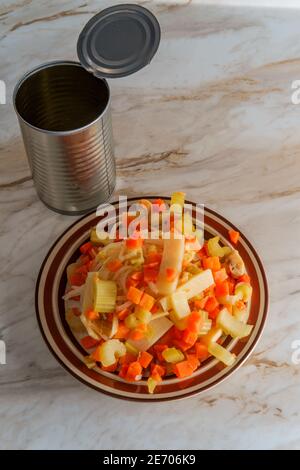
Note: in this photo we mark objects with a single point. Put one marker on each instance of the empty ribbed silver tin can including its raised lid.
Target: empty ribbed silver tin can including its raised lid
(64, 112)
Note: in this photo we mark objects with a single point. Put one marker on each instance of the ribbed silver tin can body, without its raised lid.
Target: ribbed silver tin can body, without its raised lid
(65, 120)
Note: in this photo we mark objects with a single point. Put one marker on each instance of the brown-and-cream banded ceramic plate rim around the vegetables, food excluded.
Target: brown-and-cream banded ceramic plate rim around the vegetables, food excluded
(50, 288)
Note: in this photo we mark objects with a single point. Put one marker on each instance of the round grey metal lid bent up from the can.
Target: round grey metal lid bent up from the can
(118, 41)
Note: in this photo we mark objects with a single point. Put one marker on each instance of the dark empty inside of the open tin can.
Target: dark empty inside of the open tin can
(61, 97)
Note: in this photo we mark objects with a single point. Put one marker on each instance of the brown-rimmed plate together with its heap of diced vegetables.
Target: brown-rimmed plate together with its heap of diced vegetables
(152, 318)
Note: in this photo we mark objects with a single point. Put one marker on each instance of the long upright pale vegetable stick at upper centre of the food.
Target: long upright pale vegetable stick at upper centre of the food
(171, 259)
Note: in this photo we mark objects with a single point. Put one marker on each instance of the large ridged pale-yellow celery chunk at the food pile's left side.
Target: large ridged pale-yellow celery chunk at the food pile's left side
(105, 295)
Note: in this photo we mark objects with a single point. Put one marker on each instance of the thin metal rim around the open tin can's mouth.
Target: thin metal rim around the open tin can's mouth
(51, 64)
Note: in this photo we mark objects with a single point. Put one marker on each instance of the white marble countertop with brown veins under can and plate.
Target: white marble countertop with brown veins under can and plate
(212, 115)
